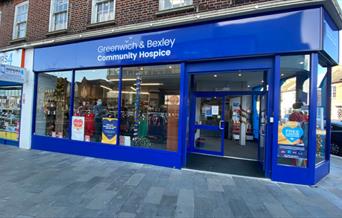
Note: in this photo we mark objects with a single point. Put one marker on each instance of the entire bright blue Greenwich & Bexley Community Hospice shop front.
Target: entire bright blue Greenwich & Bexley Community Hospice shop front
(242, 89)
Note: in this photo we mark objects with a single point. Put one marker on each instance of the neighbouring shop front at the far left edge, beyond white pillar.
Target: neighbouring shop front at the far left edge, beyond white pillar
(12, 78)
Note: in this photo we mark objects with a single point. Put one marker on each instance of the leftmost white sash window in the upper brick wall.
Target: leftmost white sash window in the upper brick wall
(20, 20)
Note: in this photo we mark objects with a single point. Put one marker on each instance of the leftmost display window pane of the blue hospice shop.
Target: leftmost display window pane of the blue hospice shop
(53, 104)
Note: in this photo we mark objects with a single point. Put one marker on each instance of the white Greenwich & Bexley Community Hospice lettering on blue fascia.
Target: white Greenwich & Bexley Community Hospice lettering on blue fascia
(132, 50)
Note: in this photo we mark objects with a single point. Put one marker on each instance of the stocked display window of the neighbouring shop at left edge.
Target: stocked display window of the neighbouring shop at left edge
(10, 99)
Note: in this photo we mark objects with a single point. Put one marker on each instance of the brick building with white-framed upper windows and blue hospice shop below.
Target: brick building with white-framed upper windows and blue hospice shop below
(180, 83)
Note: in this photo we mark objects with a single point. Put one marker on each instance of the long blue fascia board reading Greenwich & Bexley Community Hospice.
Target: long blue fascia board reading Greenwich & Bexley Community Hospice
(300, 31)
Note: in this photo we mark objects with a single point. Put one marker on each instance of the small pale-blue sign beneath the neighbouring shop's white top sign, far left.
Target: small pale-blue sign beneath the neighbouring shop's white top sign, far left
(12, 74)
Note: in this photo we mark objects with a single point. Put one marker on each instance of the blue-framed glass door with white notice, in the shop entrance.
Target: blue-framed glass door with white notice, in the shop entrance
(208, 124)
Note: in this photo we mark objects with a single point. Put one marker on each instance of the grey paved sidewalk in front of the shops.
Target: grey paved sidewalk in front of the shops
(44, 184)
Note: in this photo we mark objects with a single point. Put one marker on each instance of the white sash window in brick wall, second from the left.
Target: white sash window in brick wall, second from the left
(58, 15)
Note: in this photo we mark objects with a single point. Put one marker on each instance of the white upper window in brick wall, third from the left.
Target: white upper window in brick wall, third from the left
(103, 10)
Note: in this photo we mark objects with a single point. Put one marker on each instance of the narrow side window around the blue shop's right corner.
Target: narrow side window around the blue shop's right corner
(322, 98)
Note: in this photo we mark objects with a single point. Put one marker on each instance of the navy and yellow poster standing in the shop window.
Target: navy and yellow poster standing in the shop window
(109, 130)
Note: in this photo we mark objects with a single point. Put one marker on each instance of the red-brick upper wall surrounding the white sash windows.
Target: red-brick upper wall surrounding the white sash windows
(127, 12)
